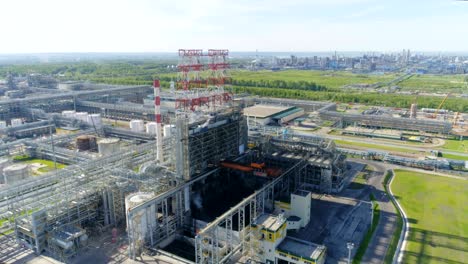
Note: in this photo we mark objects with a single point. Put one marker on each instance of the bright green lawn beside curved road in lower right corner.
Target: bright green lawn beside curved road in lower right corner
(438, 216)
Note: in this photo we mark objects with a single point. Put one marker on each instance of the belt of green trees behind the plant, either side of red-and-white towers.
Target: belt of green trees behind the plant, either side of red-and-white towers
(143, 73)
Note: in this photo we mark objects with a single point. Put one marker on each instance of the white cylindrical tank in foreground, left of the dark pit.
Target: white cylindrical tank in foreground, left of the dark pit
(143, 218)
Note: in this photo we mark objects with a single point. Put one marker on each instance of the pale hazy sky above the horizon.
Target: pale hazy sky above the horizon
(239, 25)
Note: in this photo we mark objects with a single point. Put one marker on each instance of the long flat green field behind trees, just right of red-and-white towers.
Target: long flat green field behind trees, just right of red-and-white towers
(331, 79)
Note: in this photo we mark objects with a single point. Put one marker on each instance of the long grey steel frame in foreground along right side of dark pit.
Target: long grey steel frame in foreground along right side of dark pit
(219, 240)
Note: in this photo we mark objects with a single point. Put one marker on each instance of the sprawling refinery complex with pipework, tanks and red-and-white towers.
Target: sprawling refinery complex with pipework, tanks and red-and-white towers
(185, 171)
